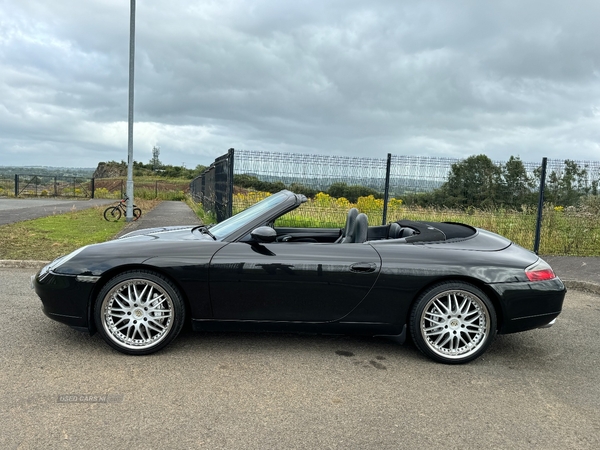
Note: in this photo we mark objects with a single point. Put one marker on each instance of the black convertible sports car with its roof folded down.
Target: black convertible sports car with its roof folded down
(451, 286)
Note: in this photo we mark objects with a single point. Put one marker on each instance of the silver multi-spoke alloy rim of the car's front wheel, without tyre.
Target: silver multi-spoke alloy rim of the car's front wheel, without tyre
(137, 313)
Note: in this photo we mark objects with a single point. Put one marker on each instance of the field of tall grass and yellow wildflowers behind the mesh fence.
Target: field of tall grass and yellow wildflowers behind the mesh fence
(564, 232)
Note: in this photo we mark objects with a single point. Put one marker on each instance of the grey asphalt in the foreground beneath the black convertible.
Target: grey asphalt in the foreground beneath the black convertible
(538, 389)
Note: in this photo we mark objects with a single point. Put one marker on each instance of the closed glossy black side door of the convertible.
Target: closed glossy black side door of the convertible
(291, 281)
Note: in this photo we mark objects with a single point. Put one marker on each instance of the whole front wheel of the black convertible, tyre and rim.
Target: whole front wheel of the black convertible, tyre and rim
(139, 312)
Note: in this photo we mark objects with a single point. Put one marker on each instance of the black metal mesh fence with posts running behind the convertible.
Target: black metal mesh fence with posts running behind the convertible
(503, 197)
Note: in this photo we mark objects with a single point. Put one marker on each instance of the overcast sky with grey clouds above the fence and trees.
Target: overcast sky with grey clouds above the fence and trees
(343, 77)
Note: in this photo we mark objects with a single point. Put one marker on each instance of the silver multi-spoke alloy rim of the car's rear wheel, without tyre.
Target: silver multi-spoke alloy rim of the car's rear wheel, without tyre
(455, 324)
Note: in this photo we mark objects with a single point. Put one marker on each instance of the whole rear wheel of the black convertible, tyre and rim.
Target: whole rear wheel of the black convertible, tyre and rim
(453, 322)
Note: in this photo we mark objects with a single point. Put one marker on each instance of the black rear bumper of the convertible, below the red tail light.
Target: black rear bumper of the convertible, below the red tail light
(529, 305)
